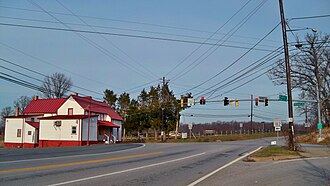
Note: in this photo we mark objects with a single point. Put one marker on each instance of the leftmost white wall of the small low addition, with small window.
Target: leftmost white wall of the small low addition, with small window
(12, 124)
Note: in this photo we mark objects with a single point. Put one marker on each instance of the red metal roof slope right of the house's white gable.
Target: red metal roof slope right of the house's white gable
(87, 103)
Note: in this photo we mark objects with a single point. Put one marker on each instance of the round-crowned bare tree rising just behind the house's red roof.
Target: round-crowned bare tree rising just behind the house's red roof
(56, 85)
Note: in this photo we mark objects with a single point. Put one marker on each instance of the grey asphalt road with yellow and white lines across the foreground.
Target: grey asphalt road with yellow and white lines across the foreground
(150, 164)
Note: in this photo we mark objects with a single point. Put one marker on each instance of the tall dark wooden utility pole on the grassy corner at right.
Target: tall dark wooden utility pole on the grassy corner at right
(288, 78)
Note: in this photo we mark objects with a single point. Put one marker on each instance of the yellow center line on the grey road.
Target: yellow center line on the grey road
(77, 163)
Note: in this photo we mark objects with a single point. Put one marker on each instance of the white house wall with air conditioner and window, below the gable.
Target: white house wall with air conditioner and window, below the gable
(64, 132)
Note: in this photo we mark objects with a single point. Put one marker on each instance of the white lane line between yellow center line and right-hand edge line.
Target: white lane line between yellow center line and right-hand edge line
(127, 170)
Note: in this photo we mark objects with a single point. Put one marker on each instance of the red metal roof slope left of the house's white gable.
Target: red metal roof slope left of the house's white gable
(44, 106)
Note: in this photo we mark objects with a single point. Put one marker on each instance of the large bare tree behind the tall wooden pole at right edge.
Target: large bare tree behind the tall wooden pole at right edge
(310, 69)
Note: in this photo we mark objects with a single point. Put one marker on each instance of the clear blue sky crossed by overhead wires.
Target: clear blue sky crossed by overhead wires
(129, 63)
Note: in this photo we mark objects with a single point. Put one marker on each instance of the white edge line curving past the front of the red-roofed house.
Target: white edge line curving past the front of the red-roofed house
(72, 156)
